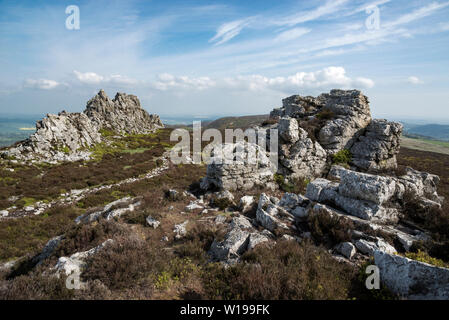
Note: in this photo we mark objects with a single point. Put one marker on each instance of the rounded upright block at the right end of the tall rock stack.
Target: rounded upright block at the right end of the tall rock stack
(377, 148)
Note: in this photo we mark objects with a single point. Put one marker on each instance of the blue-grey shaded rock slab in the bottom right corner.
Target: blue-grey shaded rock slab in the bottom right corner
(412, 279)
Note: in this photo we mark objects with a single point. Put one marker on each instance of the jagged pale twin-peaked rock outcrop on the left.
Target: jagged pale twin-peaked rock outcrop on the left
(68, 136)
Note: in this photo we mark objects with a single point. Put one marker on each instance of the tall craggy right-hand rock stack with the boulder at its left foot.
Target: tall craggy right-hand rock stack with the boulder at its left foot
(312, 130)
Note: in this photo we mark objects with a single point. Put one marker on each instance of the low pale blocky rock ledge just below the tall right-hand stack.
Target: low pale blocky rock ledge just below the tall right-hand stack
(373, 197)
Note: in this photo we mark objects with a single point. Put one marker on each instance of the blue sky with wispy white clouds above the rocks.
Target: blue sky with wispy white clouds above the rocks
(226, 57)
